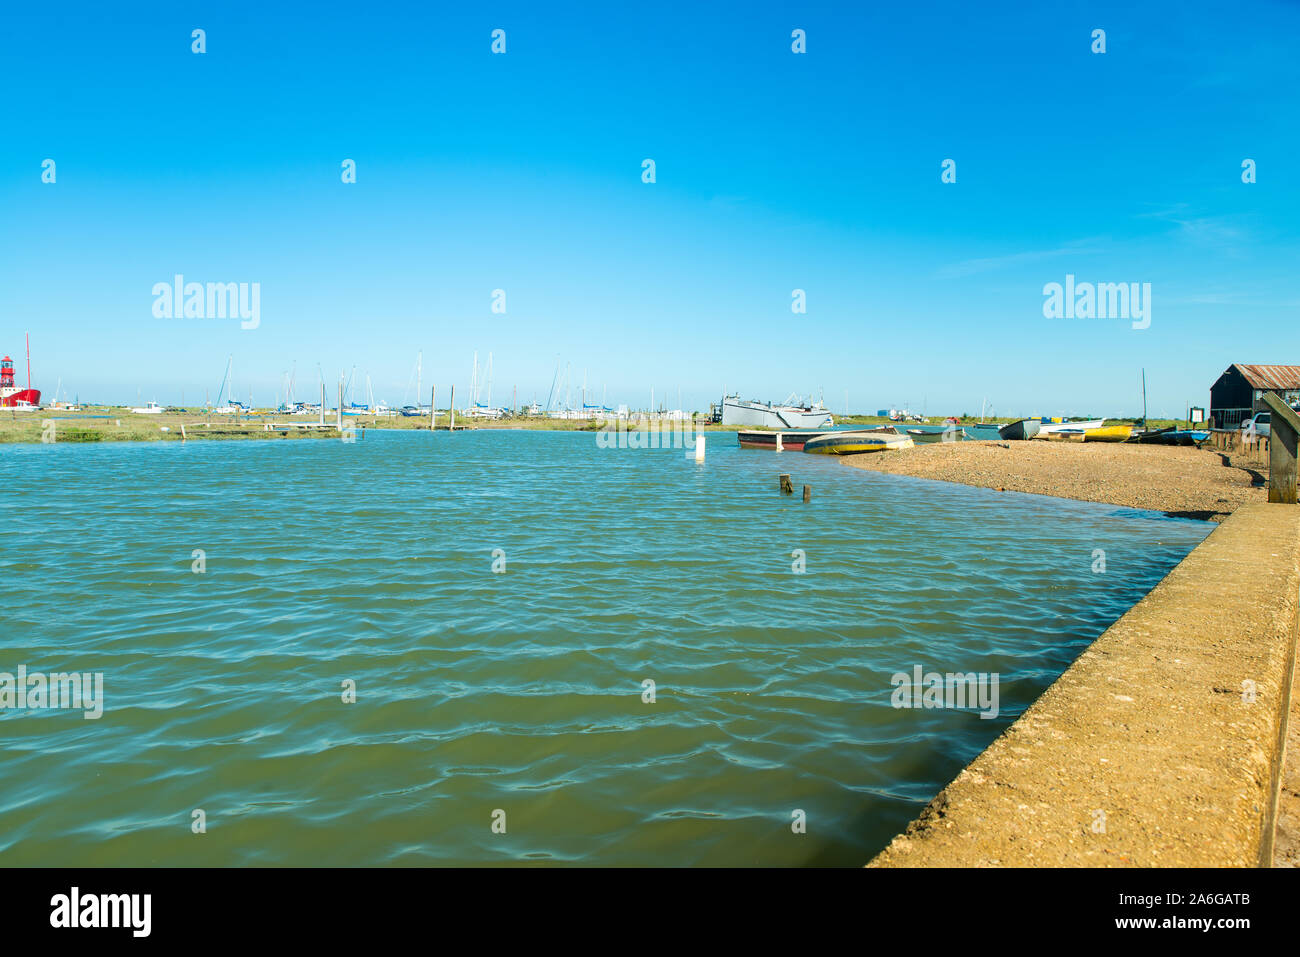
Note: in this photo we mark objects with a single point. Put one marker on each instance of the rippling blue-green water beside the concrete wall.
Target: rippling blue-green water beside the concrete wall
(522, 691)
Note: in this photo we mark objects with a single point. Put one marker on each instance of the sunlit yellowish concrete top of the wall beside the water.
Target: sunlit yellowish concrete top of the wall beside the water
(1163, 746)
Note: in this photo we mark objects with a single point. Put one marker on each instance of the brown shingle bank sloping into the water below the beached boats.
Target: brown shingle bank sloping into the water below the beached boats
(1185, 482)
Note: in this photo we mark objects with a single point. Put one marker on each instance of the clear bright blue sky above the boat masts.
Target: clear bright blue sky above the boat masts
(774, 172)
